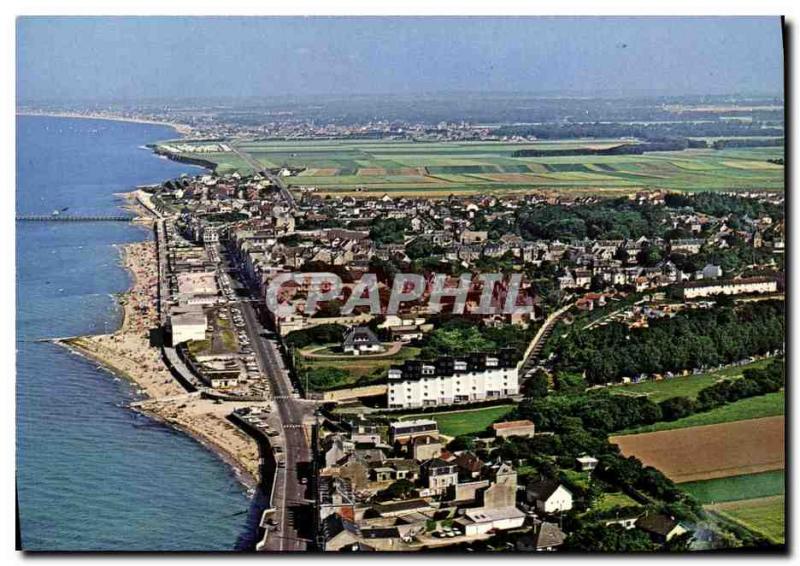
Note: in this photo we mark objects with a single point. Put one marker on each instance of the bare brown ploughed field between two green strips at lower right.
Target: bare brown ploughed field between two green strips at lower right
(711, 451)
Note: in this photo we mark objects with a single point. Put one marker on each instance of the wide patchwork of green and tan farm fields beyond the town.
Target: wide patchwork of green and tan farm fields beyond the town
(441, 169)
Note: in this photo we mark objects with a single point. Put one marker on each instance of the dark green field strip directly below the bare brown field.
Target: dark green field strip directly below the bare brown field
(736, 488)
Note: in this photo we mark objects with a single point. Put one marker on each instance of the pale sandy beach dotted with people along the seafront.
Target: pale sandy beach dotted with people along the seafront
(128, 354)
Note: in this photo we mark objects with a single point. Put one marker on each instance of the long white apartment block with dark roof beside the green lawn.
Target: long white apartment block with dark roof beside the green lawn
(448, 381)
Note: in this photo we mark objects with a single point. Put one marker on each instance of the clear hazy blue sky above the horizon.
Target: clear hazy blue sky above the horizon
(135, 58)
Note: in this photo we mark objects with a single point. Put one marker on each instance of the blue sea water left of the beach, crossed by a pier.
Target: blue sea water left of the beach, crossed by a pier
(91, 474)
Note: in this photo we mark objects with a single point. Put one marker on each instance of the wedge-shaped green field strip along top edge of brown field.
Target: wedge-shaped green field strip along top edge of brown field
(769, 405)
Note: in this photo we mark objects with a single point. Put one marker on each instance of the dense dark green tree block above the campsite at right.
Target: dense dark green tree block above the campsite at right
(689, 340)
